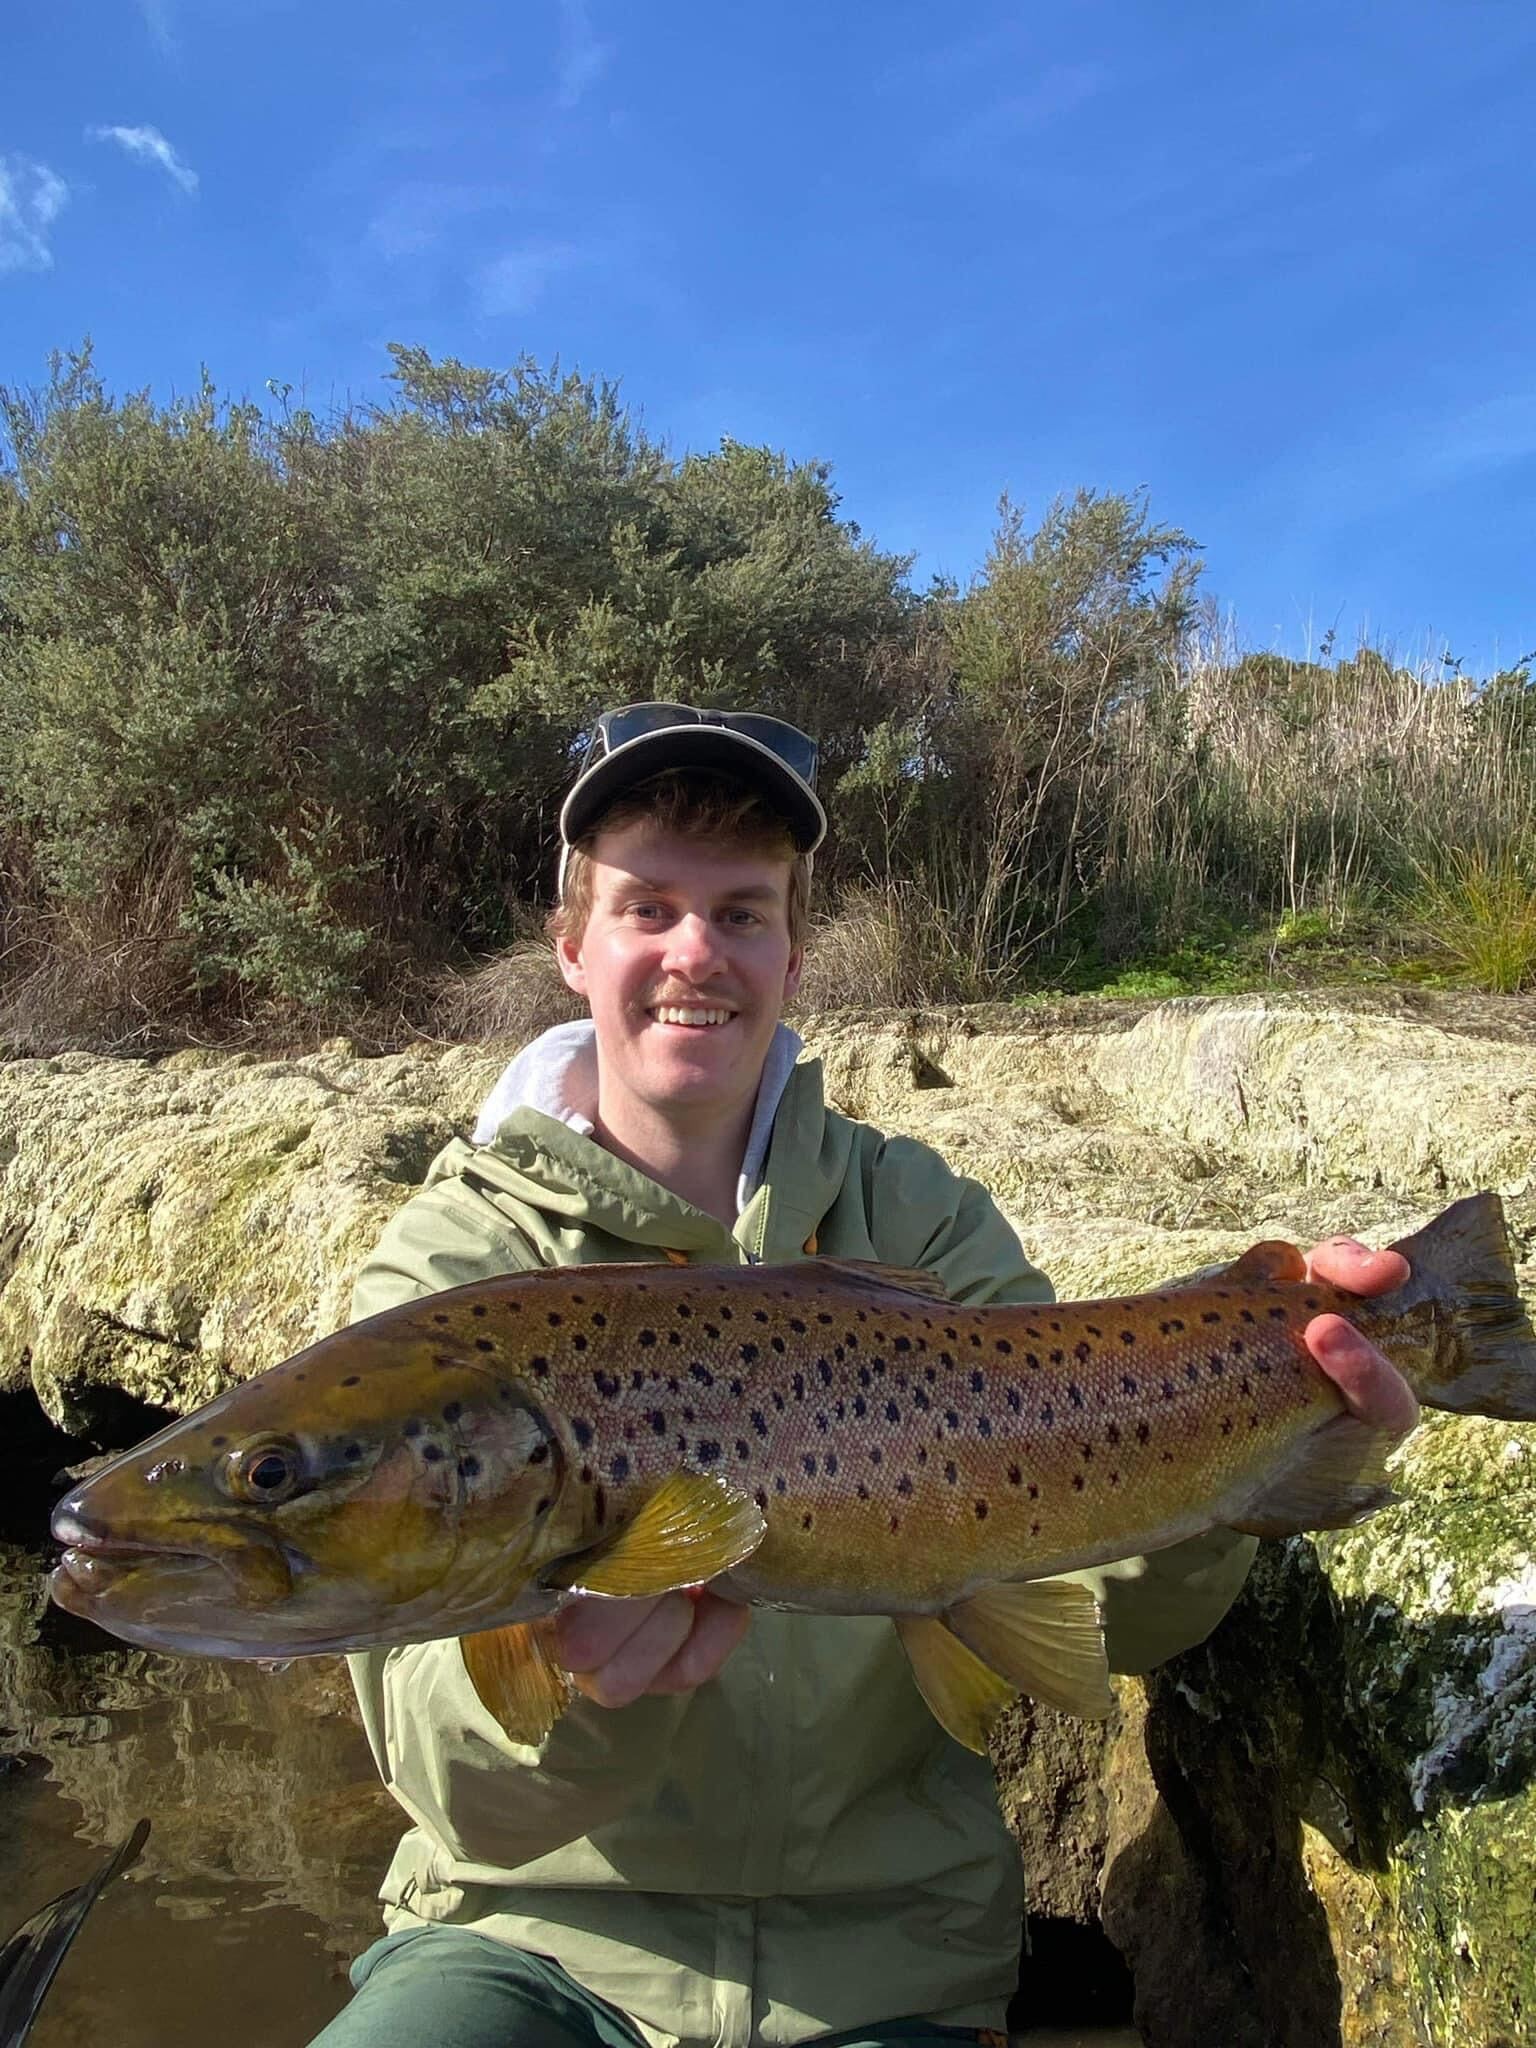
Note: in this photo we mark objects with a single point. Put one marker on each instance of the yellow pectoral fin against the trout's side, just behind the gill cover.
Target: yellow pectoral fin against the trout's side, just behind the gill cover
(689, 1531)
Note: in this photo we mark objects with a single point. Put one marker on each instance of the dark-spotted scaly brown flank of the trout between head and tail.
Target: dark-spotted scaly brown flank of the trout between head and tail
(1009, 1439)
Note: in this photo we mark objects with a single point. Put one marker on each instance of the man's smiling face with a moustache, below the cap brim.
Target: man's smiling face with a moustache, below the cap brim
(687, 966)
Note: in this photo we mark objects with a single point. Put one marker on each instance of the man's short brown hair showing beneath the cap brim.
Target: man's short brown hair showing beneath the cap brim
(701, 808)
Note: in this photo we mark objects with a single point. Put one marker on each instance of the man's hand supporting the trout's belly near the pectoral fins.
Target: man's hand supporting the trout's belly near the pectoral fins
(620, 1650)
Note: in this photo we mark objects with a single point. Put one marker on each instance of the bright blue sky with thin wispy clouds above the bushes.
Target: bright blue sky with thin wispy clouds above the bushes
(1271, 259)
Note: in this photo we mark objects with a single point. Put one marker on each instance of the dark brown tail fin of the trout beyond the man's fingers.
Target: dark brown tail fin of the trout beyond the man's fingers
(1488, 1351)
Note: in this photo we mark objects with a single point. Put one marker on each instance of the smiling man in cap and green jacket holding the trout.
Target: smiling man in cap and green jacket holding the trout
(751, 1830)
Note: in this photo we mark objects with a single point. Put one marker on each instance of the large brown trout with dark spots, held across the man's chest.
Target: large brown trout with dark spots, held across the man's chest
(822, 1437)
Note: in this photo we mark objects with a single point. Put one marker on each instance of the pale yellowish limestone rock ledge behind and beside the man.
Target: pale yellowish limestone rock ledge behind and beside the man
(1316, 1830)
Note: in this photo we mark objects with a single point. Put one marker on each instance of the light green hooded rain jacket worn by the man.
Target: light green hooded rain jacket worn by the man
(796, 1848)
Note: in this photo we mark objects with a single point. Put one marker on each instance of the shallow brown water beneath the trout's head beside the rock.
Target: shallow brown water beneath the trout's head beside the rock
(269, 1834)
